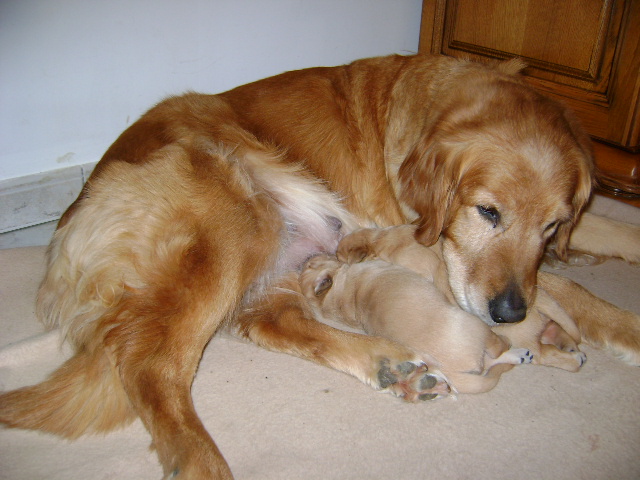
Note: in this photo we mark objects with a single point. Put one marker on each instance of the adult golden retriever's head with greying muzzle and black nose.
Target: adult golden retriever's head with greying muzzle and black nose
(501, 172)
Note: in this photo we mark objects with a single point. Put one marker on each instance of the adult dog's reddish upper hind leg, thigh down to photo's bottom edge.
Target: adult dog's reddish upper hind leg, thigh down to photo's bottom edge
(189, 288)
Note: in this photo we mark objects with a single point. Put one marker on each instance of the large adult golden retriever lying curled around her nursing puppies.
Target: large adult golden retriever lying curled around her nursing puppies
(202, 206)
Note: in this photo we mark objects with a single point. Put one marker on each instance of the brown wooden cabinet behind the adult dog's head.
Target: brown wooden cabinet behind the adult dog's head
(586, 53)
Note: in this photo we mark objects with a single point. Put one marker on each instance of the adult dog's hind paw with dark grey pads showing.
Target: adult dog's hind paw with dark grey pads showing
(412, 381)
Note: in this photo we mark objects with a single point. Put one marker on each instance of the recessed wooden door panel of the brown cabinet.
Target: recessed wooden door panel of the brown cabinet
(533, 30)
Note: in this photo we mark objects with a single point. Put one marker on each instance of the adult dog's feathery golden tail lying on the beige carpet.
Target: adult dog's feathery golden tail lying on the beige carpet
(84, 395)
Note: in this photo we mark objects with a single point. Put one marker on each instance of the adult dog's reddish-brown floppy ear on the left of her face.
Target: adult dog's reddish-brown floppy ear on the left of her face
(428, 183)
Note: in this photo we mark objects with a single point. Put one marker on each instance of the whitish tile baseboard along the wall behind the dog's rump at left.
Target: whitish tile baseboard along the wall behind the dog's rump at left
(40, 198)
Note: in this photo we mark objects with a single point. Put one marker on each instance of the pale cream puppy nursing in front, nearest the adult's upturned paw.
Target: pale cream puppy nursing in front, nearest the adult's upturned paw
(394, 302)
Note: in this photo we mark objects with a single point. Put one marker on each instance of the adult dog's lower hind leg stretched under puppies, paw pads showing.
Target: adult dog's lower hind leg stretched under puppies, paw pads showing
(282, 322)
